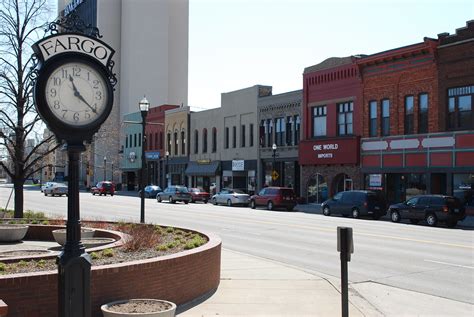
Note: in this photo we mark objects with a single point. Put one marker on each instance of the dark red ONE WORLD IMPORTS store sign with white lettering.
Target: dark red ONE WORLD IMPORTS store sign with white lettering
(332, 151)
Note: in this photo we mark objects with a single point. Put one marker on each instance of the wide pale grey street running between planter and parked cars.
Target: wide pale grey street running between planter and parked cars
(436, 261)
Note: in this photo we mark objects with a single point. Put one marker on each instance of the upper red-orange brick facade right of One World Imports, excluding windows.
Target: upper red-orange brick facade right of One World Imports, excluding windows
(396, 74)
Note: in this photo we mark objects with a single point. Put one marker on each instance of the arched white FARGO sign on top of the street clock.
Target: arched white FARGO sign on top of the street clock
(73, 43)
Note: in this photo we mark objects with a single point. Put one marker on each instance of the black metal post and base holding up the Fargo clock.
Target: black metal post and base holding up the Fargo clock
(74, 264)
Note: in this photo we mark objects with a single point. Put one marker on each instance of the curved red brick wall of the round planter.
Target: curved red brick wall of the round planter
(179, 278)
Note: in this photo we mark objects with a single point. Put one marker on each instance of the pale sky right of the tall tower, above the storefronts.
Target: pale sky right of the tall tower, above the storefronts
(234, 44)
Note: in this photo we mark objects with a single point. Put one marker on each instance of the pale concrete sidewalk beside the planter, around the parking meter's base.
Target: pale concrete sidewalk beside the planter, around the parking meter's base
(252, 286)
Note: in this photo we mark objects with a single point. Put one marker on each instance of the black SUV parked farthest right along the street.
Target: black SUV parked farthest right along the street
(432, 208)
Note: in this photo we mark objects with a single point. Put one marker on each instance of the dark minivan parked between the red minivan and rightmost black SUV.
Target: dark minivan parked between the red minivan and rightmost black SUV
(356, 203)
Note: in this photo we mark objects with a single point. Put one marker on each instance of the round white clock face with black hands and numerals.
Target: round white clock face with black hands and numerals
(76, 93)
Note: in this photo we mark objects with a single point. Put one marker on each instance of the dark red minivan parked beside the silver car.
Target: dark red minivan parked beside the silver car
(274, 197)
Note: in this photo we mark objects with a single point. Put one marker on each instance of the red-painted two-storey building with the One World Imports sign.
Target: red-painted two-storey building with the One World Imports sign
(329, 149)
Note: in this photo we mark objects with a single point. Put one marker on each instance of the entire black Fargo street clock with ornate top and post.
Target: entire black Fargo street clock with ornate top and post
(74, 96)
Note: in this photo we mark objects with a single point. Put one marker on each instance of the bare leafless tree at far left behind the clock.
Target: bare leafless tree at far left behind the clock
(21, 24)
